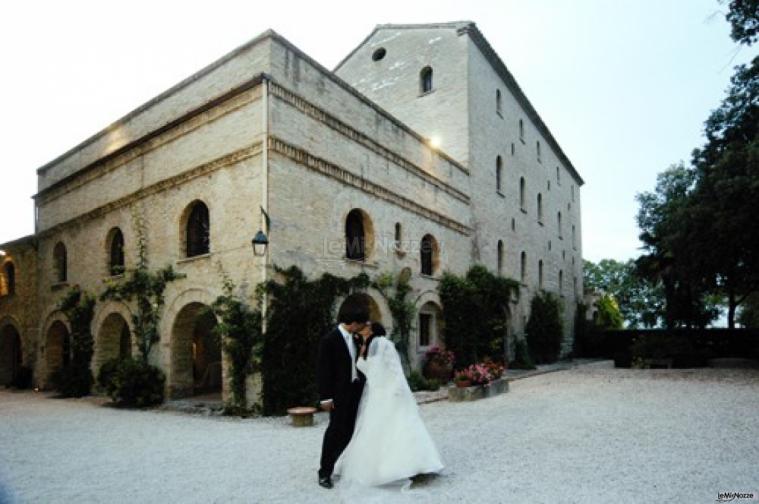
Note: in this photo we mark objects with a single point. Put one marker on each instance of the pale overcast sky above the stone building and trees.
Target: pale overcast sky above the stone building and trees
(623, 85)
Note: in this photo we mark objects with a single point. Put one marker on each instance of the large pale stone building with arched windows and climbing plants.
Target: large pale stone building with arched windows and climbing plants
(420, 146)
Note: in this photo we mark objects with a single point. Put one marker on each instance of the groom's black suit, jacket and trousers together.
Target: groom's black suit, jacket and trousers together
(334, 374)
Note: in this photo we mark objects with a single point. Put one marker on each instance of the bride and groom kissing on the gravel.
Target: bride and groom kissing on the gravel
(375, 433)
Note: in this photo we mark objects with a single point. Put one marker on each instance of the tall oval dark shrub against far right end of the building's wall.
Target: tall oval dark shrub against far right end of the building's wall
(544, 329)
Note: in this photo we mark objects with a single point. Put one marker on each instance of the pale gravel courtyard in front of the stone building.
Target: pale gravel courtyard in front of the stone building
(582, 435)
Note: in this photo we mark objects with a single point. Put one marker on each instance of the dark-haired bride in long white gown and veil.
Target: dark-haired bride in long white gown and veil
(390, 441)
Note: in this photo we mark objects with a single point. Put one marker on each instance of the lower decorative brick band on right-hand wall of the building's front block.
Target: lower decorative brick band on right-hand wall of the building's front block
(350, 179)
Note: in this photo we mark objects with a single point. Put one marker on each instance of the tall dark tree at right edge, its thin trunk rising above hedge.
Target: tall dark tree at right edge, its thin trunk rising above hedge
(721, 218)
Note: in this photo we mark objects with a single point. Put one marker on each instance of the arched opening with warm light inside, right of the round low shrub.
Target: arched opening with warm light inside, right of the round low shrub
(195, 358)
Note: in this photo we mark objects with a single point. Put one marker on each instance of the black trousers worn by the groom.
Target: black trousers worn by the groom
(342, 421)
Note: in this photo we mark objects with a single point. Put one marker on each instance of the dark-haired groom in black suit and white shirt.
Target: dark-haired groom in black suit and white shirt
(340, 386)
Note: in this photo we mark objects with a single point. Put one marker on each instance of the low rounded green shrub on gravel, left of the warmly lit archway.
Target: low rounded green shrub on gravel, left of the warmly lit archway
(132, 382)
